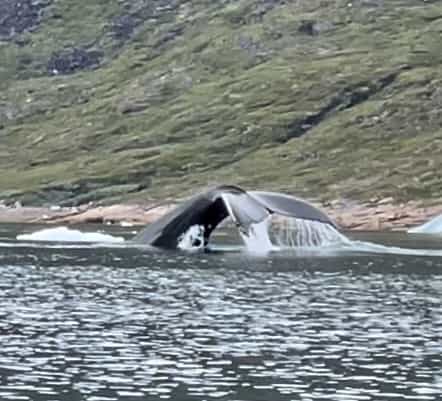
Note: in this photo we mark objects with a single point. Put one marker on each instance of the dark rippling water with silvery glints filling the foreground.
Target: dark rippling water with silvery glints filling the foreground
(105, 324)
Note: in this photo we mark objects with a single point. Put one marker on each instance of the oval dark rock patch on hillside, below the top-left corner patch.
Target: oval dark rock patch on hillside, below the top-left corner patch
(73, 60)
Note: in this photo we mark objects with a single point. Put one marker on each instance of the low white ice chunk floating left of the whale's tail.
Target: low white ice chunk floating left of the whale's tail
(64, 234)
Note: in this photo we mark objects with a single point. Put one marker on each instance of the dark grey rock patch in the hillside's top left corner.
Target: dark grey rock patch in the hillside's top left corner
(18, 16)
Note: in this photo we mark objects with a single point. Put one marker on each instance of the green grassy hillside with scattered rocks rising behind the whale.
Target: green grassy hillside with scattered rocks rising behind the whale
(110, 100)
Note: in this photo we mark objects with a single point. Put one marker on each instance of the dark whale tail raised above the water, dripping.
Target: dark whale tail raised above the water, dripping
(210, 208)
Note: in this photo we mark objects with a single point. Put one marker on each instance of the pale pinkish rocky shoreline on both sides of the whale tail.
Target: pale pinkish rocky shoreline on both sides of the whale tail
(383, 215)
